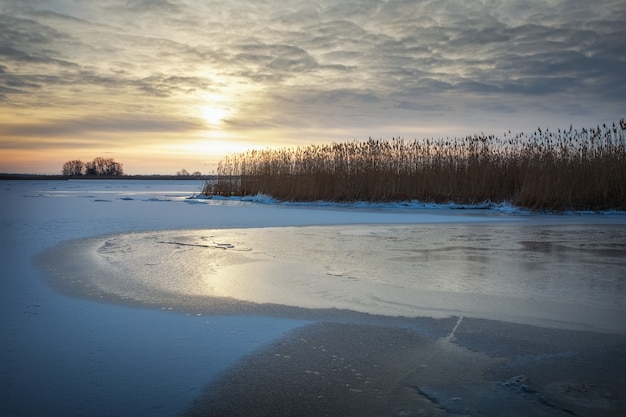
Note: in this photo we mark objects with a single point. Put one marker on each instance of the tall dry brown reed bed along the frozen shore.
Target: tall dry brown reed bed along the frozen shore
(544, 170)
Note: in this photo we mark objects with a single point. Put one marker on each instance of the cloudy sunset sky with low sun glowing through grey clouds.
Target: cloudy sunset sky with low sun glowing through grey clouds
(162, 85)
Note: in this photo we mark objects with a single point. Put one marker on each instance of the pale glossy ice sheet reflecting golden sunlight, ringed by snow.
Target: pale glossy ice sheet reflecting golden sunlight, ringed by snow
(563, 276)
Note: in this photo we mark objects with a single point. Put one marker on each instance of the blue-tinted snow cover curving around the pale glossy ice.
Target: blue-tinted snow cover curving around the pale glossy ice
(68, 356)
